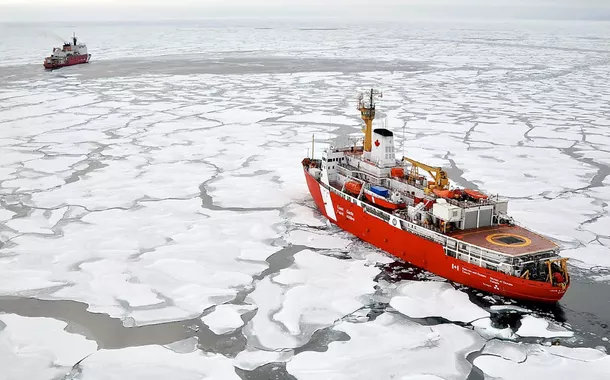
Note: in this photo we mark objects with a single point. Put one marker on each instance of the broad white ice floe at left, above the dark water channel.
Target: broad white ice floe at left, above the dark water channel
(168, 250)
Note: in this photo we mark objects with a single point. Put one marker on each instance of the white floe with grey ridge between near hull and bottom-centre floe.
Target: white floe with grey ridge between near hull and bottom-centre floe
(312, 294)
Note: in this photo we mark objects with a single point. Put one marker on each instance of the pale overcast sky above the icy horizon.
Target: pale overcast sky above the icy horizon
(112, 10)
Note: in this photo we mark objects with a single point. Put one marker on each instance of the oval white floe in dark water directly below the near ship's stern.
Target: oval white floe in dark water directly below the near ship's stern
(421, 299)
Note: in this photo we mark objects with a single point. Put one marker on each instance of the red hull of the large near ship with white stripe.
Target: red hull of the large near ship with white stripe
(425, 253)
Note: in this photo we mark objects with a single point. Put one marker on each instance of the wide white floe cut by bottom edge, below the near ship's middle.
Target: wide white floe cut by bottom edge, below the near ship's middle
(390, 347)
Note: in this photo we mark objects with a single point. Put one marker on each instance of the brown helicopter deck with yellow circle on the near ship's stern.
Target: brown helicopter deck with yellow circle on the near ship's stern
(509, 240)
